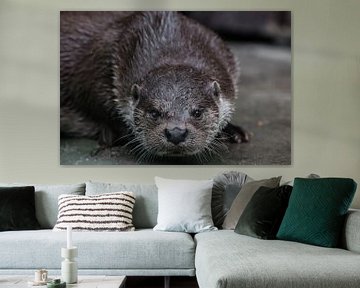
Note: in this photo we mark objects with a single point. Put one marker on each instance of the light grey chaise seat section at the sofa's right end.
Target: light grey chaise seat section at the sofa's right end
(225, 259)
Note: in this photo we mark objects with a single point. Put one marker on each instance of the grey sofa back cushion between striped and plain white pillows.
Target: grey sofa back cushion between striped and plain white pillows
(146, 205)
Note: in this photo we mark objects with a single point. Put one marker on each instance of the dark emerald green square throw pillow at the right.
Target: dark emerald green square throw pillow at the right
(316, 211)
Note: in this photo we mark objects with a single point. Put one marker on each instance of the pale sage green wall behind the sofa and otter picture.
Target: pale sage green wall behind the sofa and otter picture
(326, 91)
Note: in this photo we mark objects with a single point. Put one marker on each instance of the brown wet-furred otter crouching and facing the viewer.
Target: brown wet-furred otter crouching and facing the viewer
(157, 82)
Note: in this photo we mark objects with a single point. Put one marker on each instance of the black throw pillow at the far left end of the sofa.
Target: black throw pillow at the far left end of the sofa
(17, 209)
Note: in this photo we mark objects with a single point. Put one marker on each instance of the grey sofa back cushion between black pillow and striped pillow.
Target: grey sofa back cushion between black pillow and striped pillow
(46, 200)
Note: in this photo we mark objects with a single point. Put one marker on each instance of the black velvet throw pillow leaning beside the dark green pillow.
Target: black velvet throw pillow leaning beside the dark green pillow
(263, 214)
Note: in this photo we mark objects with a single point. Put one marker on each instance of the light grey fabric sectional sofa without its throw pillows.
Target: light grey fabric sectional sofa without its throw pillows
(218, 259)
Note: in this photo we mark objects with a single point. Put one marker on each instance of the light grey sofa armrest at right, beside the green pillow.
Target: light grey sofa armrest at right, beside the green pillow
(351, 234)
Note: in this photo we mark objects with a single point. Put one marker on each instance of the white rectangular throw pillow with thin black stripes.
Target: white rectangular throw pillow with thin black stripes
(105, 212)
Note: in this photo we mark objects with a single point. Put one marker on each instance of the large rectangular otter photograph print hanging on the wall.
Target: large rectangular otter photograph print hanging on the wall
(175, 88)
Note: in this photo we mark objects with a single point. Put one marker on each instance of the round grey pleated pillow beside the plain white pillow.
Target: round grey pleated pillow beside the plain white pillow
(226, 187)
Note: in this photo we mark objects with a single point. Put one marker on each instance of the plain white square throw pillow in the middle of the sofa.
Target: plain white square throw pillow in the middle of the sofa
(184, 205)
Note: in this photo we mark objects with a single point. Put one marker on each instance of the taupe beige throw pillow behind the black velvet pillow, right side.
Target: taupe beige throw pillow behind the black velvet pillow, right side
(243, 198)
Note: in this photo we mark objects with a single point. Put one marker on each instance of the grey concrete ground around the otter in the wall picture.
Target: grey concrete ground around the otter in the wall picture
(263, 108)
